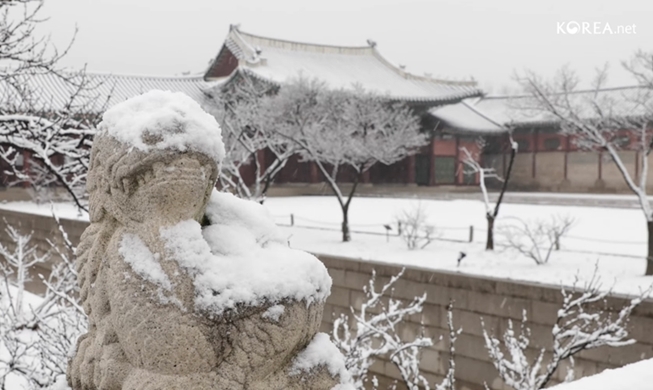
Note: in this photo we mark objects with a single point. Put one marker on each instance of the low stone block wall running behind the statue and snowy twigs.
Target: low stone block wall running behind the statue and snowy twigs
(495, 301)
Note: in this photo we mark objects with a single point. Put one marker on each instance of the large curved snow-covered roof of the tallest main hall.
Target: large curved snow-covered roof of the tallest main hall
(279, 61)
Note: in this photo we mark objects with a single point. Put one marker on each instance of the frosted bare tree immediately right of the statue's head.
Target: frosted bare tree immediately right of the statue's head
(246, 135)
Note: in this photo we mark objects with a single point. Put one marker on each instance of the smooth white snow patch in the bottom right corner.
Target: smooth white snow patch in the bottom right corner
(630, 377)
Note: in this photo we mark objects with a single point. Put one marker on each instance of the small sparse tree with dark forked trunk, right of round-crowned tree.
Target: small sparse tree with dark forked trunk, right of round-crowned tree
(473, 166)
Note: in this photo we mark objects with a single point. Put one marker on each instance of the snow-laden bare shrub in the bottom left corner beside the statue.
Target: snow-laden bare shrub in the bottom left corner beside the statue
(37, 334)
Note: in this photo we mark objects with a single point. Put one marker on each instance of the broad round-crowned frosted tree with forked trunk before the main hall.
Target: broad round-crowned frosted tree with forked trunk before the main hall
(348, 131)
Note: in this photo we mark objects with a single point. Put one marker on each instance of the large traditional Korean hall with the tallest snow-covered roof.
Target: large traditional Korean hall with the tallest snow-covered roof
(276, 62)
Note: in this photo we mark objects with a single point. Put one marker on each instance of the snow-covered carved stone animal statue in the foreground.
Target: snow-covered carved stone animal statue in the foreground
(187, 288)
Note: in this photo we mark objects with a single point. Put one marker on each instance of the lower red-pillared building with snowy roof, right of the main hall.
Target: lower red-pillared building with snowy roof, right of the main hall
(548, 159)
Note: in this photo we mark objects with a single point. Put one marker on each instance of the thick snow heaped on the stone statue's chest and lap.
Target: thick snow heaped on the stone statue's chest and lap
(241, 258)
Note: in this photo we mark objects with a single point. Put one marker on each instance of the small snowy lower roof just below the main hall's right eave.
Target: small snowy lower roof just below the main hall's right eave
(465, 117)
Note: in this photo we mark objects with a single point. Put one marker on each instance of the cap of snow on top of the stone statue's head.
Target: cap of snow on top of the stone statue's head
(172, 120)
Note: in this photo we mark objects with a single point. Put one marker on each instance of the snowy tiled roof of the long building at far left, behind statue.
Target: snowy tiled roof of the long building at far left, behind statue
(52, 93)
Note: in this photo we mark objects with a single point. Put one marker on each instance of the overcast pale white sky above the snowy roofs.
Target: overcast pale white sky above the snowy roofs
(455, 39)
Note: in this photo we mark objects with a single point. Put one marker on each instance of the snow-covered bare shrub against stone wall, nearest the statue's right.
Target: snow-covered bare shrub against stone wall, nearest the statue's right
(376, 336)
